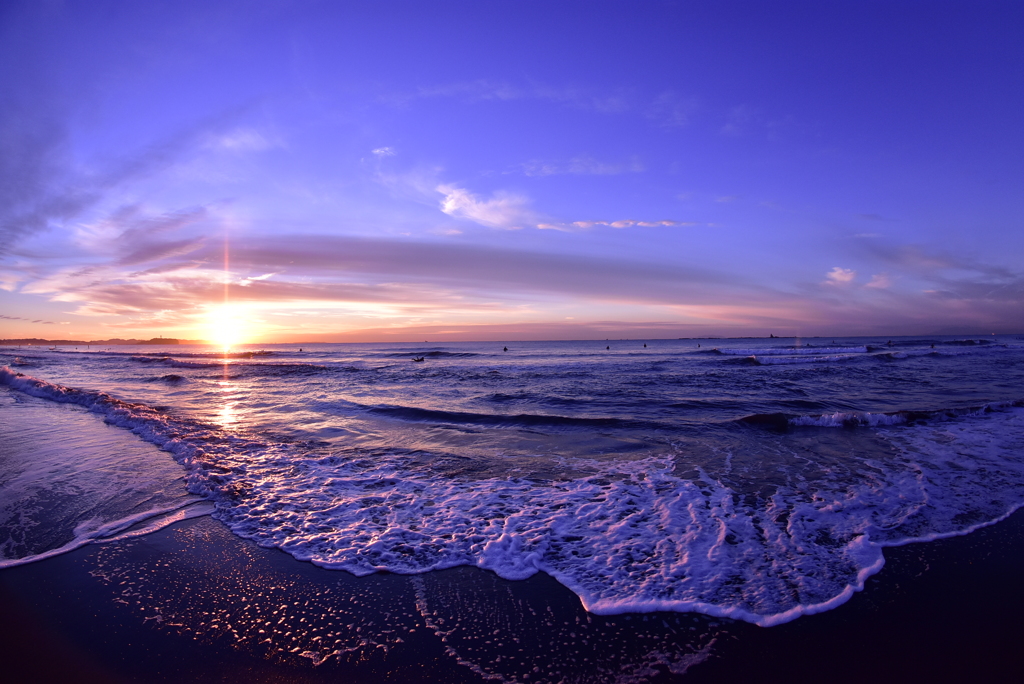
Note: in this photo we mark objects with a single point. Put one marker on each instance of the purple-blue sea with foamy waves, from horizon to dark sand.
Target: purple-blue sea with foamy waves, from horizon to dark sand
(756, 480)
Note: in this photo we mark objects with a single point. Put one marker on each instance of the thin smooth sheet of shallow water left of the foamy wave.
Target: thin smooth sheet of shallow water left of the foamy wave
(72, 482)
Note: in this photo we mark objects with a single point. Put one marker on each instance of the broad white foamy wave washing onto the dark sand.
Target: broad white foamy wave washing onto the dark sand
(626, 536)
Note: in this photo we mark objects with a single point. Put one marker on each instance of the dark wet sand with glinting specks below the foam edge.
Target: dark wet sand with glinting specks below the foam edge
(194, 604)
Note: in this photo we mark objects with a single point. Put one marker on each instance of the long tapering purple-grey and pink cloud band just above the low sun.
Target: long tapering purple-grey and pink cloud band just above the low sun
(403, 276)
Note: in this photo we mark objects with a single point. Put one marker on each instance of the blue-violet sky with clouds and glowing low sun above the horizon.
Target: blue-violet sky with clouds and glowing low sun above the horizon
(491, 170)
